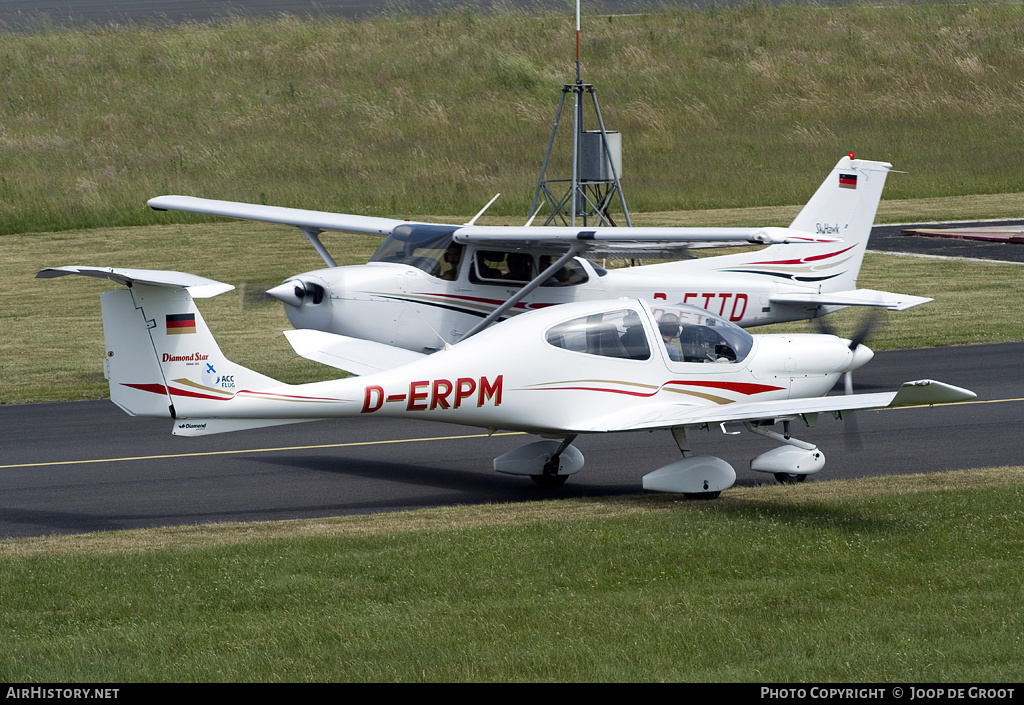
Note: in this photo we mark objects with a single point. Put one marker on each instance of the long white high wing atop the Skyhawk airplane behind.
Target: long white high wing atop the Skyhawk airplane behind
(604, 241)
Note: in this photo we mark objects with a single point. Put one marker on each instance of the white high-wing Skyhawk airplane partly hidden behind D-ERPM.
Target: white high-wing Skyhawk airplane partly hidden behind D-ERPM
(430, 285)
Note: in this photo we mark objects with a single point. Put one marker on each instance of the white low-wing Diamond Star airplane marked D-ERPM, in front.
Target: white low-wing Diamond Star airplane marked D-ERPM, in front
(587, 367)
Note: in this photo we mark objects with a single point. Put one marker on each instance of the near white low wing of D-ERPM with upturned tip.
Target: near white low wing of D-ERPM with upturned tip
(921, 393)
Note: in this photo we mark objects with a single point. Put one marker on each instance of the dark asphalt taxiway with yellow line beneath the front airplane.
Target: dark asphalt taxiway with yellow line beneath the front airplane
(86, 467)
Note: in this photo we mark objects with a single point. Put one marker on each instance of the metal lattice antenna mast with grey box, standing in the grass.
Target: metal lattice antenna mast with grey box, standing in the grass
(598, 163)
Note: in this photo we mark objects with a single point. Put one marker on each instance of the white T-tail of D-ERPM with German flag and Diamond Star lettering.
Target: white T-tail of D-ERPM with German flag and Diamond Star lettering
(162, 360)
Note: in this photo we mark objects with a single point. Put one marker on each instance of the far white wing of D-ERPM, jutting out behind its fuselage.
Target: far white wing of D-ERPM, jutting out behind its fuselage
(352, 355)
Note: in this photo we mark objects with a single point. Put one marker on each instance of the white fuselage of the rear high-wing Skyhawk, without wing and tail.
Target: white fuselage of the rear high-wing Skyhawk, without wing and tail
(422, 307)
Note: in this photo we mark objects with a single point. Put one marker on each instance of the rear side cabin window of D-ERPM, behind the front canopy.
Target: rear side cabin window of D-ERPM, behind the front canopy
(612, 335)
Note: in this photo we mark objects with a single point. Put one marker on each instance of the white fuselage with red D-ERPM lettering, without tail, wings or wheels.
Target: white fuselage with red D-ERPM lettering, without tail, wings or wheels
(566, 369)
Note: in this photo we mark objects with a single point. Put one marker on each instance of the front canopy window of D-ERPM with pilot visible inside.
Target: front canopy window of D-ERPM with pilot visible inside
(695, 336)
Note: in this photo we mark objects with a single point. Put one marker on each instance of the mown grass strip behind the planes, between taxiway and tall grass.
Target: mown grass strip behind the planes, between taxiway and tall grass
(40, 361)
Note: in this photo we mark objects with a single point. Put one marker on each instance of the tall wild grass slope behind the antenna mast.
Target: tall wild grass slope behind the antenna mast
(434, 115)
